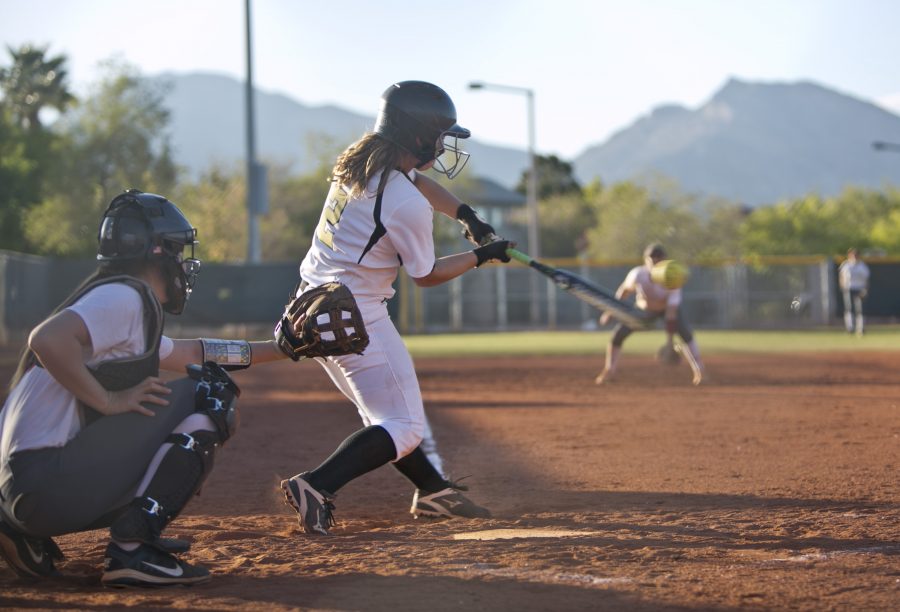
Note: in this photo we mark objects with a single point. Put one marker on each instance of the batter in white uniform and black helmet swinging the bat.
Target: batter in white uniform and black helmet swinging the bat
(376, 219)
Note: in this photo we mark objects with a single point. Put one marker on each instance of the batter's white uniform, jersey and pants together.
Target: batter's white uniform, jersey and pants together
(364, 248)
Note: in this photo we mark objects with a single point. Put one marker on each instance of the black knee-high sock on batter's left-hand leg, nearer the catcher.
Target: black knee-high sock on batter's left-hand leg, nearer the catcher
(360, 453)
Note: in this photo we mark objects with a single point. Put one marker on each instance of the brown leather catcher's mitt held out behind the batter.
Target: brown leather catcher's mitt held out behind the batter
(322, 322)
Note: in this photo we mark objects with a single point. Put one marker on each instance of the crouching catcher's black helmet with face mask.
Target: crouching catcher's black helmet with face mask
(145, 226)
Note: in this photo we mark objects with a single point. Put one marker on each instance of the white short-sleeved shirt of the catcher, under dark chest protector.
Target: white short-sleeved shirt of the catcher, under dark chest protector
(40, 412)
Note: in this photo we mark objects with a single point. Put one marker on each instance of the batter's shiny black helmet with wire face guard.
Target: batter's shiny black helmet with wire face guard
(421, 118)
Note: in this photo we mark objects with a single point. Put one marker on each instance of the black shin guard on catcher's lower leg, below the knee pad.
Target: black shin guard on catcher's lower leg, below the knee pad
(179, 476)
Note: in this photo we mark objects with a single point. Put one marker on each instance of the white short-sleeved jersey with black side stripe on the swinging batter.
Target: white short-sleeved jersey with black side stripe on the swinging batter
(362, 242)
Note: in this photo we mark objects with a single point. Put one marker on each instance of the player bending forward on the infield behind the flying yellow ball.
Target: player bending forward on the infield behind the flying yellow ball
(655, 299)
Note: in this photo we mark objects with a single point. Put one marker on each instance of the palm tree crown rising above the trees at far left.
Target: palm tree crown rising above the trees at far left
(34, 82)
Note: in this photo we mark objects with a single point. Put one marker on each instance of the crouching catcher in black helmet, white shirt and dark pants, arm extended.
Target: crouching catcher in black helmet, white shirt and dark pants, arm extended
(90, 436)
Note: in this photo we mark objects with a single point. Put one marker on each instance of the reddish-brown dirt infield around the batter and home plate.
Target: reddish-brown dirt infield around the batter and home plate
(774, 486)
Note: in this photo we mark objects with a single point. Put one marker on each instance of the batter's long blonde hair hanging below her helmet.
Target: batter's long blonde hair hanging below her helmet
(362, 160)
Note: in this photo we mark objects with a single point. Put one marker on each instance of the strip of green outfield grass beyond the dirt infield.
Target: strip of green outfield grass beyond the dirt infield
(879, 338)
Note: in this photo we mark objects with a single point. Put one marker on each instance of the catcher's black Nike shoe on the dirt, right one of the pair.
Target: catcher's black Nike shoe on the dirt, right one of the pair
(147, 566)
